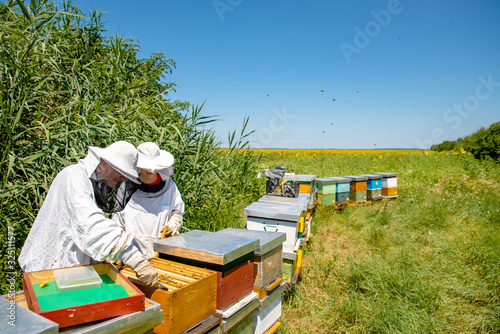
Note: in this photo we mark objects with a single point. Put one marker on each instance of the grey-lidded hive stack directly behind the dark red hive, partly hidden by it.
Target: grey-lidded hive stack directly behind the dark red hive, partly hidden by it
(268, 281)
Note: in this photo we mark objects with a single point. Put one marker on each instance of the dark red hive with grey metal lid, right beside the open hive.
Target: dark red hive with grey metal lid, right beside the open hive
(231, 257)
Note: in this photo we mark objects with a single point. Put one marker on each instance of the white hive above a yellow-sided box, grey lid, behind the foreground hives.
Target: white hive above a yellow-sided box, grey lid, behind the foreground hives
(286, 218)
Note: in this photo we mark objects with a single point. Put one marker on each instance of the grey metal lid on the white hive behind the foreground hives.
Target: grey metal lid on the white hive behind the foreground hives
(276, 211)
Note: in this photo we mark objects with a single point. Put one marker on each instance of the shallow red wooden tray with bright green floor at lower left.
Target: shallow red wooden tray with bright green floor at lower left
(117, 296)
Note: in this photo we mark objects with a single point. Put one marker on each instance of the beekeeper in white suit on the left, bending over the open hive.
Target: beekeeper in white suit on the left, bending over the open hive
(71, 227)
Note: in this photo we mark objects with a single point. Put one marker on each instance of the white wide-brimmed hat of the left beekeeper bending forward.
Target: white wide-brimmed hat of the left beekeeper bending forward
(122, 156)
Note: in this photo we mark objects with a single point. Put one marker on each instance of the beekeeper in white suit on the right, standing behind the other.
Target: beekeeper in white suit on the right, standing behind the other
(156, 204)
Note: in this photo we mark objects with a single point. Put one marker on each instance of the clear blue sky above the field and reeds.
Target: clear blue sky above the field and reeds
(326, 74)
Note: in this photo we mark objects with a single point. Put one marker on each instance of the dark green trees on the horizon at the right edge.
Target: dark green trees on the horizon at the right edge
(483, 144)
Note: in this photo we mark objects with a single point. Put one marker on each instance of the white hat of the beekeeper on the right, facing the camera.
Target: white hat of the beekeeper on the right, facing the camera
(152, 159)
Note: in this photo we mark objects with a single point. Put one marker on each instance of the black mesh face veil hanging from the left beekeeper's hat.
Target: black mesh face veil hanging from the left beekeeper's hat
(113, 199)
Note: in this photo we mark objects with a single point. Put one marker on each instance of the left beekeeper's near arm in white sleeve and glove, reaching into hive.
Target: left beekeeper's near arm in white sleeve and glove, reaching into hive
(99, 237)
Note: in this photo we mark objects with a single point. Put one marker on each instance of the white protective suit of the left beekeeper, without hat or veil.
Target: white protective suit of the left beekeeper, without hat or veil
(70, 229)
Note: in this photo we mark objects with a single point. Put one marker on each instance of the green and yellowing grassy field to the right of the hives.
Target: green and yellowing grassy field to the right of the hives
(427, 262)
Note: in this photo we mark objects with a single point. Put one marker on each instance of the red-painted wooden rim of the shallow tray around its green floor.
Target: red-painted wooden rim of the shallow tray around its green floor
(85, 313)
